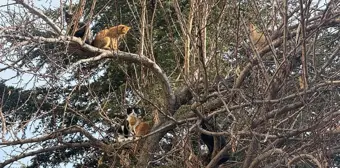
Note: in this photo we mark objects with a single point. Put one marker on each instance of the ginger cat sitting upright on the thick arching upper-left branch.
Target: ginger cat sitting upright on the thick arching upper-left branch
(108, 38)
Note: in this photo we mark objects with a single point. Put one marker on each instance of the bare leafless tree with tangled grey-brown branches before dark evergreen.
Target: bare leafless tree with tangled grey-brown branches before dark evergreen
(250, 94)
